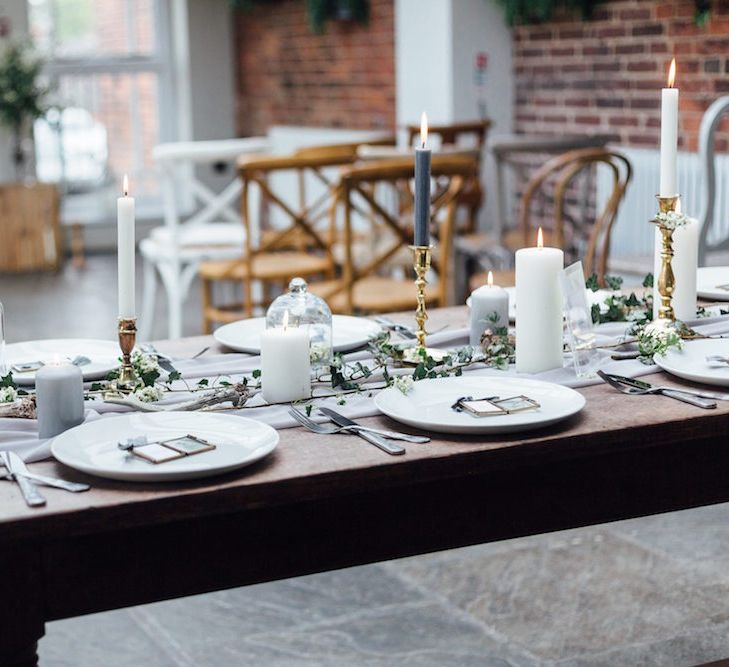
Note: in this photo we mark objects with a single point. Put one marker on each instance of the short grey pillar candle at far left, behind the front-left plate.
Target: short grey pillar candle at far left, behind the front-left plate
(59, 398)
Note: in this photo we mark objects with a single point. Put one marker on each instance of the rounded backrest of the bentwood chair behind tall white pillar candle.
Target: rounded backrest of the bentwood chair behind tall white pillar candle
(559, 174)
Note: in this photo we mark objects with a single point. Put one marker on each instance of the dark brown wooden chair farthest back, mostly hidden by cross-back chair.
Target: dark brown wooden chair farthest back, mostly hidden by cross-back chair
(451, 136)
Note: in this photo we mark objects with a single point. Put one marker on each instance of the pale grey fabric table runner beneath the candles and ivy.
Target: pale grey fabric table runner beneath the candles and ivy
(21, 435)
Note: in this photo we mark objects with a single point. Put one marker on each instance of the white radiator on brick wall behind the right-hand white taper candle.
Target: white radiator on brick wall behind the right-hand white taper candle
(632, 235)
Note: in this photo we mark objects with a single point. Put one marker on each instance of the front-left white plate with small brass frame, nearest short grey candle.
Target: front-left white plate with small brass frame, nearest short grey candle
(92, 446)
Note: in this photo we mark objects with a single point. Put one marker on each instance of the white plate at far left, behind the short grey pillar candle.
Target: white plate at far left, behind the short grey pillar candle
(104, 356)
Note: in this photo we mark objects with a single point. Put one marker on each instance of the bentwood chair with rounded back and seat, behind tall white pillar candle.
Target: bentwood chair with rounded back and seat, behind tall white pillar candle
(587, 239)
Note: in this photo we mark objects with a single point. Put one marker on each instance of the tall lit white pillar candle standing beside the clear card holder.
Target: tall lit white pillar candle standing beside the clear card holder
(539, 315)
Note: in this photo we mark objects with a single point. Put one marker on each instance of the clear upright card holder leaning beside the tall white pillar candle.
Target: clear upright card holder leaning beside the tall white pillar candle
(581, 337)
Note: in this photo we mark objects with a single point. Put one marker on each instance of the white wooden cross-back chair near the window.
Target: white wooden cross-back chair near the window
(212, 230)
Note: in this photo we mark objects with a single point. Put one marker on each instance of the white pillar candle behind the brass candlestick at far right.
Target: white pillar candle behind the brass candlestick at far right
(685, 263)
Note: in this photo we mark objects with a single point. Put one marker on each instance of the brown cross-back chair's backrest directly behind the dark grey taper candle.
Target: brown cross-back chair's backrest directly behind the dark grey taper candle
(357, 188)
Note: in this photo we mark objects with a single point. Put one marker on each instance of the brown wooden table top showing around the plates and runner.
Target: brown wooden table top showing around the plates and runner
(307, 466)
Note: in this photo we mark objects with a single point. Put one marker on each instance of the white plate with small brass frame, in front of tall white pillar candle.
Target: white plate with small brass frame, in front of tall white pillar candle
(428, 405)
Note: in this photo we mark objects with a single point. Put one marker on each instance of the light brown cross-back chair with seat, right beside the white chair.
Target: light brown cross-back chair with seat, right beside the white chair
(303, 247)
